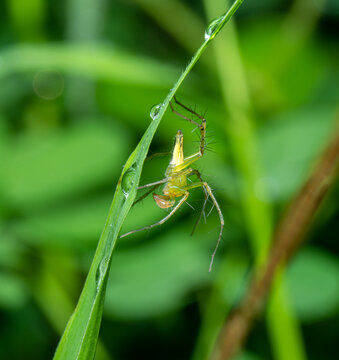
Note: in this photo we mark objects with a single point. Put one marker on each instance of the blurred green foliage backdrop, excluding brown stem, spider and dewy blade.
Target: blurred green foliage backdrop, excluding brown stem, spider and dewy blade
(78, 79)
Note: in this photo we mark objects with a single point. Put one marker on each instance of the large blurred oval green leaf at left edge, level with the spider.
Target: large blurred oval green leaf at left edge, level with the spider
(74, 160)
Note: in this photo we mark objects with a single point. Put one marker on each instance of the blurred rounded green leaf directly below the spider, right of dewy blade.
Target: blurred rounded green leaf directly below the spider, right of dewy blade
(152, 279)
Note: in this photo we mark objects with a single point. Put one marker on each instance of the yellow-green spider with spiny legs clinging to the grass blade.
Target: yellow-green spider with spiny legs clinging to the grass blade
(176, 175)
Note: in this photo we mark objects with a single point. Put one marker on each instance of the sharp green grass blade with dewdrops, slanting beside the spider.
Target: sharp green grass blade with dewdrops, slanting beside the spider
(81, 334)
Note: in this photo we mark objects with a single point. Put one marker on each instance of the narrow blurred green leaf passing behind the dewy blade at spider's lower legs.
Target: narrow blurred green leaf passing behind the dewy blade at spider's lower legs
(77, 225)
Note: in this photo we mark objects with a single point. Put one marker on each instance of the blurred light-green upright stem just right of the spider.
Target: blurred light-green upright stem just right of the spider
(257, 213)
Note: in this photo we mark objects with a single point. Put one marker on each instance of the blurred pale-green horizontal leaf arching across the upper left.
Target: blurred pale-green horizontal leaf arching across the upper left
(90, 61)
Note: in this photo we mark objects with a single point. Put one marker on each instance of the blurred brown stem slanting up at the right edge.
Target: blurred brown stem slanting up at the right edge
(289, 234)
